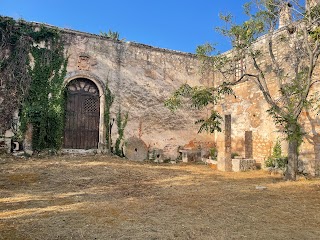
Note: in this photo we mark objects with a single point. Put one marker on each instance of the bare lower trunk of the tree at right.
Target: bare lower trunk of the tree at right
(292, 168)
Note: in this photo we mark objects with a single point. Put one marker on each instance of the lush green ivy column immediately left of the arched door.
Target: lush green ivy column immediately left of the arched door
(44, 105)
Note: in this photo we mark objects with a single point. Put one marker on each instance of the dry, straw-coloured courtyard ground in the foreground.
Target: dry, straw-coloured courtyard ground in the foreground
(100, 197)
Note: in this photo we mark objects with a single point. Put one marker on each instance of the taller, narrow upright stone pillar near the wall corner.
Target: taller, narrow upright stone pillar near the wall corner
(224, 161)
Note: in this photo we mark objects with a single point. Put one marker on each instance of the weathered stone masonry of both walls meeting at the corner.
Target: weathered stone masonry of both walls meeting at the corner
(141, 77)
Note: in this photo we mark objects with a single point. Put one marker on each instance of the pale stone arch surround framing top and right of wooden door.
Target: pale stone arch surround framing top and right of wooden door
(101, 88)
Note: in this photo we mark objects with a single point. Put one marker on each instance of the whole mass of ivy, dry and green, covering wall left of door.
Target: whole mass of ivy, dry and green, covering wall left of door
(36, 81)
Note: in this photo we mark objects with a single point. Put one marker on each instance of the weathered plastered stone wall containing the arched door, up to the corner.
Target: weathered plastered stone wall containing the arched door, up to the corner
(141, 78)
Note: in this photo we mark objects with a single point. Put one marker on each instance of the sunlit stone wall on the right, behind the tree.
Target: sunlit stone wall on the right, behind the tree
(249, 114)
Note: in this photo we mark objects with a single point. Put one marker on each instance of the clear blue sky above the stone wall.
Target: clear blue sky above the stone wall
(173, 24)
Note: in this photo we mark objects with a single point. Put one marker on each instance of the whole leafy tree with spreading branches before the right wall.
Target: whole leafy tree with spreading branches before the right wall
(294, 72)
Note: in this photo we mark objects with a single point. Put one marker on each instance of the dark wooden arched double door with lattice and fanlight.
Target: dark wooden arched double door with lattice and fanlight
(82, 115)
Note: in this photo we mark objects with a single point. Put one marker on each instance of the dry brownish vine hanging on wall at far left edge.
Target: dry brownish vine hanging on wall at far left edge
(15, 45)
